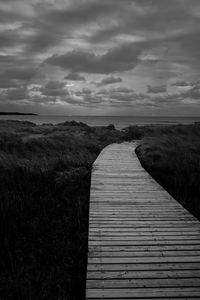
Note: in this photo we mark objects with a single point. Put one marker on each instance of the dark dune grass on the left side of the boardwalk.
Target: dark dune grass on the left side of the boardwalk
(45, 184)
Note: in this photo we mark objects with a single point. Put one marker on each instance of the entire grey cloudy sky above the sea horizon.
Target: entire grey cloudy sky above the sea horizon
(100, 57)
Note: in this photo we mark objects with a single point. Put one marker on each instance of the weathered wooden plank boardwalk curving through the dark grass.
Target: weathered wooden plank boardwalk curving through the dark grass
(142, 243)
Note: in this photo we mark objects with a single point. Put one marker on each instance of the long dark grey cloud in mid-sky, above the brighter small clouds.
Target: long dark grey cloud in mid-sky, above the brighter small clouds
(120, 58)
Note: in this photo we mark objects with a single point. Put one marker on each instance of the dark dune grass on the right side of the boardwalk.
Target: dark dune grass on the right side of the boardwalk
(172, 157)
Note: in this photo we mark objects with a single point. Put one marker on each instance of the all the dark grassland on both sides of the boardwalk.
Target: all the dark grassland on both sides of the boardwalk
(45, 183)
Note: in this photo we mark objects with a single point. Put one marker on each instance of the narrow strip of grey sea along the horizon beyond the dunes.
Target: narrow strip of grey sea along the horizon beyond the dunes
(119, 121)
